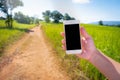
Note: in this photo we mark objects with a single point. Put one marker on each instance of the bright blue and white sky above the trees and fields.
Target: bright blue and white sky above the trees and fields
(84, 10)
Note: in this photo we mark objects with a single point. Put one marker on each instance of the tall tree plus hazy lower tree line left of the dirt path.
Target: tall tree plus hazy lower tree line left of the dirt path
(7, 6)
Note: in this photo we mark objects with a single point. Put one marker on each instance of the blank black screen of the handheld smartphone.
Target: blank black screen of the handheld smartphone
(72, 34)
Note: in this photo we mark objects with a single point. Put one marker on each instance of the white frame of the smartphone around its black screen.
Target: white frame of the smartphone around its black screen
(68, 22)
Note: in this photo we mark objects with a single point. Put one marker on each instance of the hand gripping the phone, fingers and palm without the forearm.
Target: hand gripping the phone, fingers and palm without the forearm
(88, 47)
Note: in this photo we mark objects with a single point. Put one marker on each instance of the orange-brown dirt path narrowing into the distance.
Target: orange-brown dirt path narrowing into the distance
(31, 59)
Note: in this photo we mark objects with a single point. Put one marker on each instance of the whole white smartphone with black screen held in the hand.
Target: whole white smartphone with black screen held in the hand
(72, 36)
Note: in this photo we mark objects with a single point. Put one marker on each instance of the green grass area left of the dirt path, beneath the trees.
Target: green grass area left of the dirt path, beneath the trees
(8, 36)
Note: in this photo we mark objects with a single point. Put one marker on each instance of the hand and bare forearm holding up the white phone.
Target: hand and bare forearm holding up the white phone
(106, 65)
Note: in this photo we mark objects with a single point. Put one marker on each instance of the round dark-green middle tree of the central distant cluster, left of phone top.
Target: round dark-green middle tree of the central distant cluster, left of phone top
(56, 16)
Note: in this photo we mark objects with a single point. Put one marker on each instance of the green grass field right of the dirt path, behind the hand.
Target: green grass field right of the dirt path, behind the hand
(107, 39)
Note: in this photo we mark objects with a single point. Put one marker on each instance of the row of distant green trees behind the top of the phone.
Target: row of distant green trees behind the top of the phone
(56, 16)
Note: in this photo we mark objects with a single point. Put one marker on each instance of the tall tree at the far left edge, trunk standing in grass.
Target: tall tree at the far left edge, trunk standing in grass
(7, 6)
